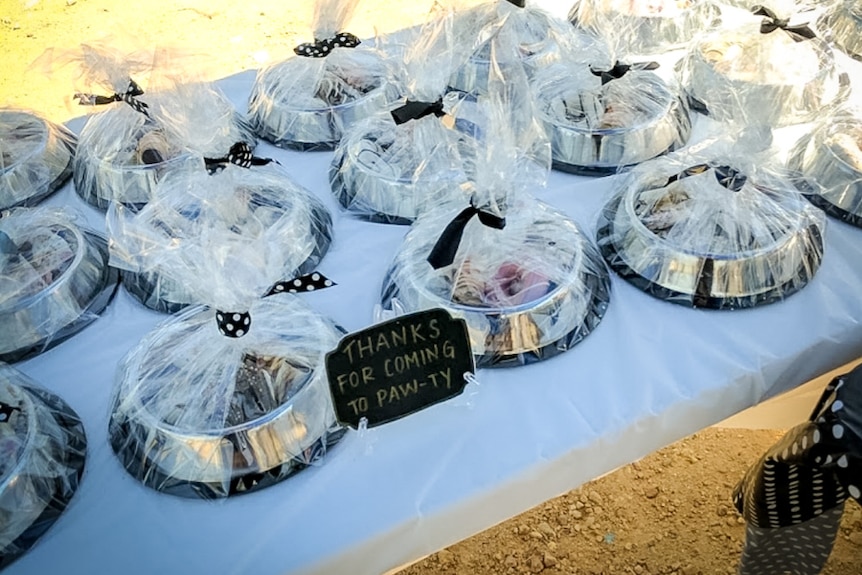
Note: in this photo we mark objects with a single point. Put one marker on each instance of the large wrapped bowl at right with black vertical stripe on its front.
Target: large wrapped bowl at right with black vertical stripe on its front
(712, 228)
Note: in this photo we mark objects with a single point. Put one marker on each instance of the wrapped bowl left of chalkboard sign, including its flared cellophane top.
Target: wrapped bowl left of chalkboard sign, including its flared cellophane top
(232, 397)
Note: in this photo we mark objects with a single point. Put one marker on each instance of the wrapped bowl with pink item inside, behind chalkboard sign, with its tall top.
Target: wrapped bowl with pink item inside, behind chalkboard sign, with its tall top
(523, 276)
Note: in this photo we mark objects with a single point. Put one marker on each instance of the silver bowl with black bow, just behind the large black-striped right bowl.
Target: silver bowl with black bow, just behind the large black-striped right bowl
(598, 129)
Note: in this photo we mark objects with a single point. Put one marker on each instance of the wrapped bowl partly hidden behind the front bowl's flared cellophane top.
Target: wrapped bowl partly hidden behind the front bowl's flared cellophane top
(261, 201)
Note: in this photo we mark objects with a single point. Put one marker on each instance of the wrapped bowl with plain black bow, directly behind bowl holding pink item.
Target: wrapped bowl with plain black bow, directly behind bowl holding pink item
(391, 172)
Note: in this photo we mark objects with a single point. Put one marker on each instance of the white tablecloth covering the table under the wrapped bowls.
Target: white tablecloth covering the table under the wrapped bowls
(651, 373)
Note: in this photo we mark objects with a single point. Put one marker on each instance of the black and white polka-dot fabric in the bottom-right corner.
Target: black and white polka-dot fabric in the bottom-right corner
(793, 497)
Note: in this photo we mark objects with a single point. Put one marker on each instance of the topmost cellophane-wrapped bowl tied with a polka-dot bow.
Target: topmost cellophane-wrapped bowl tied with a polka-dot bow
(307, 103)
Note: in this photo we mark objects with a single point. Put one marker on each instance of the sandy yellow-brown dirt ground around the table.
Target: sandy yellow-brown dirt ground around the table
(667, 514)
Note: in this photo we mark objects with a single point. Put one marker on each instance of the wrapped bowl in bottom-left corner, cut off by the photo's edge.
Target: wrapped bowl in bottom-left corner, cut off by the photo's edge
(42, 454)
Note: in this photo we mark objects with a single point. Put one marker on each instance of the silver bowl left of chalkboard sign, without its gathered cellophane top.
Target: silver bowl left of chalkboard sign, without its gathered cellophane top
(238, 420)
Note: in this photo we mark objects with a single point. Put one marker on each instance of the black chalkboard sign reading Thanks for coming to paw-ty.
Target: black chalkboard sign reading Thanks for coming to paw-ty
(399, 367)
